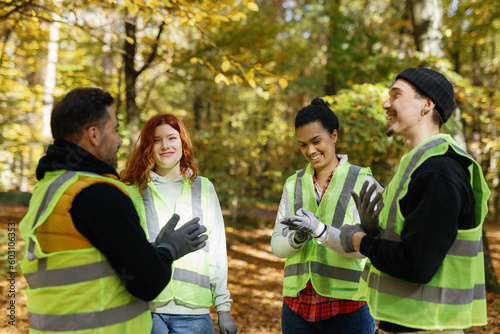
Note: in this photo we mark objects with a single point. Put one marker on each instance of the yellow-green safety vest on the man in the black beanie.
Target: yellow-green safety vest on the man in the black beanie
(455, 298)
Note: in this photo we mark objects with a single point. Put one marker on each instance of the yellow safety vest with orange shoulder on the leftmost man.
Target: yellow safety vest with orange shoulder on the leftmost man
(72, 286)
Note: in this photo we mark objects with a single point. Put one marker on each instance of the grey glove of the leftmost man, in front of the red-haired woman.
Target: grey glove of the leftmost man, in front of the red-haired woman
(184, 240)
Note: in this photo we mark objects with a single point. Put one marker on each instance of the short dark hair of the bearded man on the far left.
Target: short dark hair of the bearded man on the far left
(77, 110)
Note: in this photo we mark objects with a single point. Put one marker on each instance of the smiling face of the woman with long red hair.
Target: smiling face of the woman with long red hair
(167, 150)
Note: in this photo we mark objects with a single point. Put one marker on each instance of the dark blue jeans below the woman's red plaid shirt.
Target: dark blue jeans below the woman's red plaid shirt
(357, 322)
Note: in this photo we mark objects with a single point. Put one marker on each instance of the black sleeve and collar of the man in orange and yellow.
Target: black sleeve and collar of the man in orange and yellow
(108, 219)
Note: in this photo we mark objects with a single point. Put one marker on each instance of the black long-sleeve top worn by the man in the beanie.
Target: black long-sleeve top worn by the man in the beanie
(440, 200)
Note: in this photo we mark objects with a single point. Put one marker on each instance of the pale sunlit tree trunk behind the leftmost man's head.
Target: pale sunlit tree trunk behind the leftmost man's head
(50, 75)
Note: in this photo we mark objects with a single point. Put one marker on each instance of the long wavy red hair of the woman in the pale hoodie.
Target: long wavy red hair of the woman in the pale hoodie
(142, 161)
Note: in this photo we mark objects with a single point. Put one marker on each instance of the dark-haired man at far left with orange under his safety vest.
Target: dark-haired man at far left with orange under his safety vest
(88, 263)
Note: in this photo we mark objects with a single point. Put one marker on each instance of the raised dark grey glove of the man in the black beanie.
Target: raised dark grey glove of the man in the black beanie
(366, 208)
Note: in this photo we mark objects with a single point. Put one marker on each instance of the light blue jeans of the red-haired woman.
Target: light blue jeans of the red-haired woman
(182, 324)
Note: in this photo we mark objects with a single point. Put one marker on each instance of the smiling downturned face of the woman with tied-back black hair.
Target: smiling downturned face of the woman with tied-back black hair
(317, 145)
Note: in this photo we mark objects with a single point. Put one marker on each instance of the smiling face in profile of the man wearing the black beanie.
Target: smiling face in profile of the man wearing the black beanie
(403, 109)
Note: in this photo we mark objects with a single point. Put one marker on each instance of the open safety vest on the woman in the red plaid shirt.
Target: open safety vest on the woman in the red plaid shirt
(331, 274)
